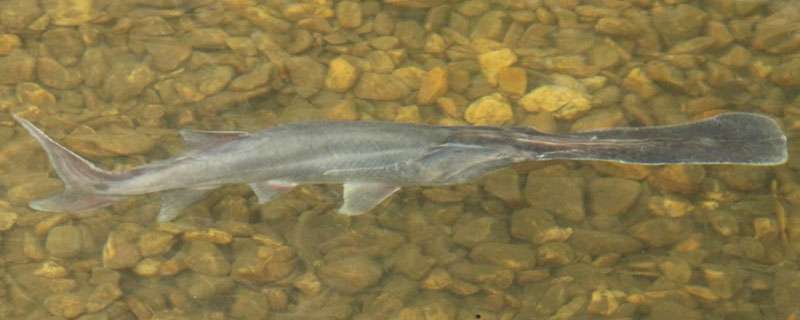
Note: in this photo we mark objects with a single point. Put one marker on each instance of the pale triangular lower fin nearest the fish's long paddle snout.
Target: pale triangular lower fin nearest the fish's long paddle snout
(361, 197)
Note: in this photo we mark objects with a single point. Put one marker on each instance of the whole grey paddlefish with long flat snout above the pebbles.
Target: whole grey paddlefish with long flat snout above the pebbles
(374, 159)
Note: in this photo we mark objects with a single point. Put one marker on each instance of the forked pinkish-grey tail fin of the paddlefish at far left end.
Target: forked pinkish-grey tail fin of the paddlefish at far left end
(81, 178)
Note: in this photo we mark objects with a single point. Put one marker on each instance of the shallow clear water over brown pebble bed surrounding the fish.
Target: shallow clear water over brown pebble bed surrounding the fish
(114, 81)
